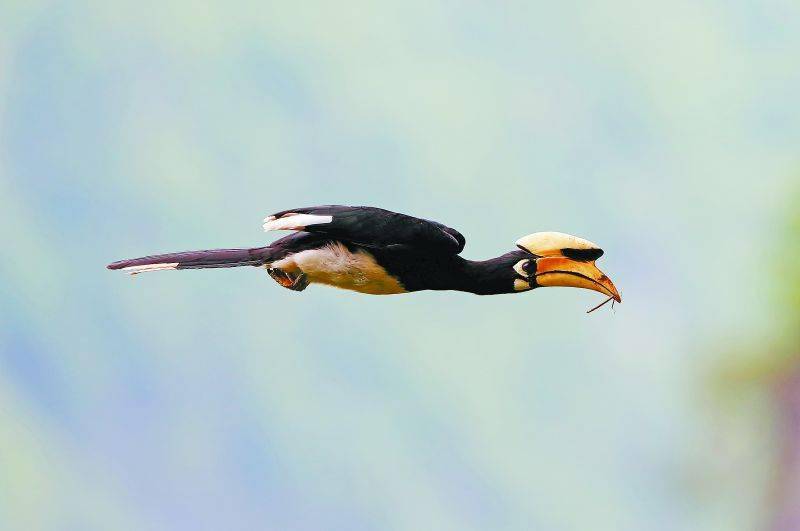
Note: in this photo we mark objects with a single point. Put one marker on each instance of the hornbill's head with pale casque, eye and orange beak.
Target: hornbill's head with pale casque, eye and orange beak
(558, 259)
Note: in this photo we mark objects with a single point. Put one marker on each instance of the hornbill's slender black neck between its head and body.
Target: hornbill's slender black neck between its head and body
(486, 277)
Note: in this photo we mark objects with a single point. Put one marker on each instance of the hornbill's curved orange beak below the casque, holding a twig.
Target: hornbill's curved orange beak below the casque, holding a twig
(563, 271)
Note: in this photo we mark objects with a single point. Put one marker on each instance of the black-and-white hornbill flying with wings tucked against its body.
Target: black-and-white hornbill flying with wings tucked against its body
(375, 251)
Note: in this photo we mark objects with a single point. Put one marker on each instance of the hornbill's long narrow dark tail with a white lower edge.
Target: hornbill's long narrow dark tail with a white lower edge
(256, 256)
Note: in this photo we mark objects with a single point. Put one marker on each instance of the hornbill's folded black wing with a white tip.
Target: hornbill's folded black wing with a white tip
(369, 226)
